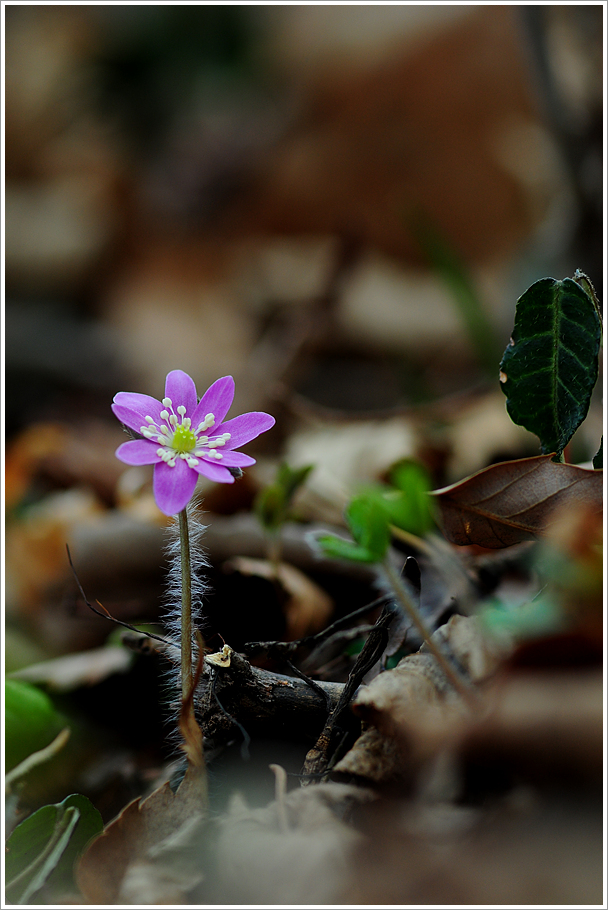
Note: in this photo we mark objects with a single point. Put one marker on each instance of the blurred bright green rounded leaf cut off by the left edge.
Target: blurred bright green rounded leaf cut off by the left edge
(31, 721)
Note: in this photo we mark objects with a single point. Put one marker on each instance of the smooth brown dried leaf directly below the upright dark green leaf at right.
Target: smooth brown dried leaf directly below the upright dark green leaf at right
(514, 501)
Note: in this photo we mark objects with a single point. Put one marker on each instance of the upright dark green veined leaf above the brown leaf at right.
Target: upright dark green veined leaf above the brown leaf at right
(550, 366)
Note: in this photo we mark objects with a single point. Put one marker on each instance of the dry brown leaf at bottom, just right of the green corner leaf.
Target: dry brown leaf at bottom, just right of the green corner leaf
(135, 842)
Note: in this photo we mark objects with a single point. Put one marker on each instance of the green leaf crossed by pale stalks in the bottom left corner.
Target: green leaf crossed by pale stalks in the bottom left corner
(42, 850)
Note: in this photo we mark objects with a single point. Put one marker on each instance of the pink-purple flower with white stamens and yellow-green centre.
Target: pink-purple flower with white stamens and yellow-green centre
(177, 440)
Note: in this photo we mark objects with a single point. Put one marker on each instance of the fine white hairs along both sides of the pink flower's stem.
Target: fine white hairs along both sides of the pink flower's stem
(172, 601)
